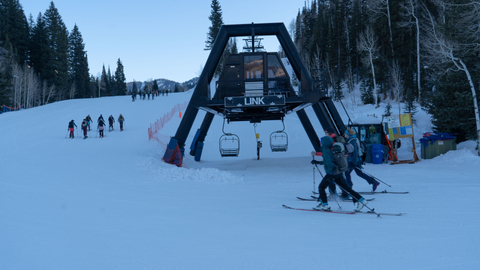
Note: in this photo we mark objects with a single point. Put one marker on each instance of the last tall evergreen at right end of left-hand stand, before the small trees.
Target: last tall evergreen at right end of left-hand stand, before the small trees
(78, 68)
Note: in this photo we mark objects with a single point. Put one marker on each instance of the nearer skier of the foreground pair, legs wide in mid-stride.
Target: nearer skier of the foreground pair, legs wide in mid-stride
(333, 175)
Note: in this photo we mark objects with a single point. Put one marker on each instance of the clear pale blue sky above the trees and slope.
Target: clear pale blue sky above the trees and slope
(157, 39)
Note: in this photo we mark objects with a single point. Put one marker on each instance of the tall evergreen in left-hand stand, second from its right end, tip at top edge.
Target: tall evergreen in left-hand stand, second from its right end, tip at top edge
(56, 67)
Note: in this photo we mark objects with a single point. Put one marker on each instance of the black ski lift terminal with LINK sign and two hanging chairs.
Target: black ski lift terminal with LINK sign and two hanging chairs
(254, 86)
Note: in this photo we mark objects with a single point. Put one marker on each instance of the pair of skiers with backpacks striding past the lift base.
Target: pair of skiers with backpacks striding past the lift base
(341, 157)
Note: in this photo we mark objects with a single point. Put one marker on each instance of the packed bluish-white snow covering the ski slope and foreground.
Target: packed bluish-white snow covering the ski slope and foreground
(112, 203)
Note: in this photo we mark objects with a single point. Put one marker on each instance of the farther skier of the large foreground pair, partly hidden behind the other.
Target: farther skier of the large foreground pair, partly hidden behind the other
(355, 161)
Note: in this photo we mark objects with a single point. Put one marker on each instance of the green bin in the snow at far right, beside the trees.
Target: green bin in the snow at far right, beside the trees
(437, 144)
